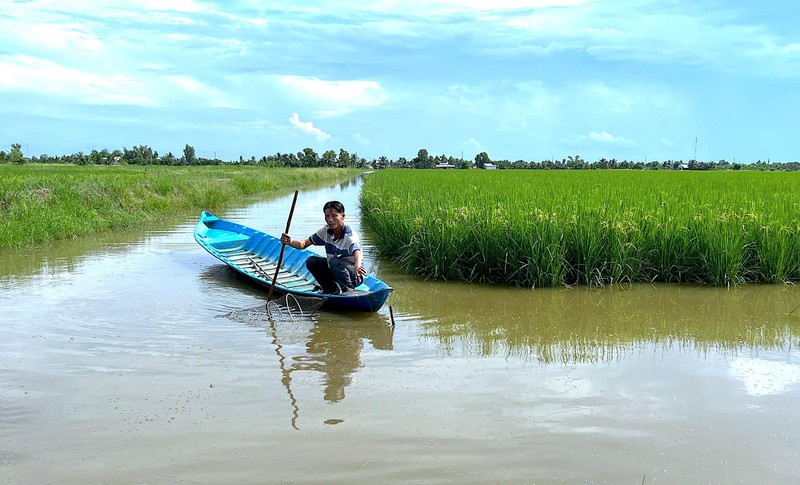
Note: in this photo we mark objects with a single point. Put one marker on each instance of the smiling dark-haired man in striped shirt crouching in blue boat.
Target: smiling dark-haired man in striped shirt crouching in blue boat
(341, 269)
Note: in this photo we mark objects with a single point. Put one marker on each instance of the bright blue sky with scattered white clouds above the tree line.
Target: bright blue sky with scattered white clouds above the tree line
(522, 79)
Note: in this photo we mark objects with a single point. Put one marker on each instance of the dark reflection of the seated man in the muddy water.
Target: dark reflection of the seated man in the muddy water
(335, 349)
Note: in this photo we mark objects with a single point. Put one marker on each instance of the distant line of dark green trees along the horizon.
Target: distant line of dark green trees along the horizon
(308, 157)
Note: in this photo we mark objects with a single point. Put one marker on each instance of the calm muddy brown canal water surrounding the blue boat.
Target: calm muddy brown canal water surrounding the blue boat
(117, 366)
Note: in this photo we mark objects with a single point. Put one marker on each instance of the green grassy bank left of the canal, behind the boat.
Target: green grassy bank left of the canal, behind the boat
(40, 203)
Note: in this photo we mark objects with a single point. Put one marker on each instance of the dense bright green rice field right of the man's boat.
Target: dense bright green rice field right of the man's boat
(554, 228)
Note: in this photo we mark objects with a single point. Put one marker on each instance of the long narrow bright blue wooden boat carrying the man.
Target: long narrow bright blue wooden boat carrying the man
(255, 255)
